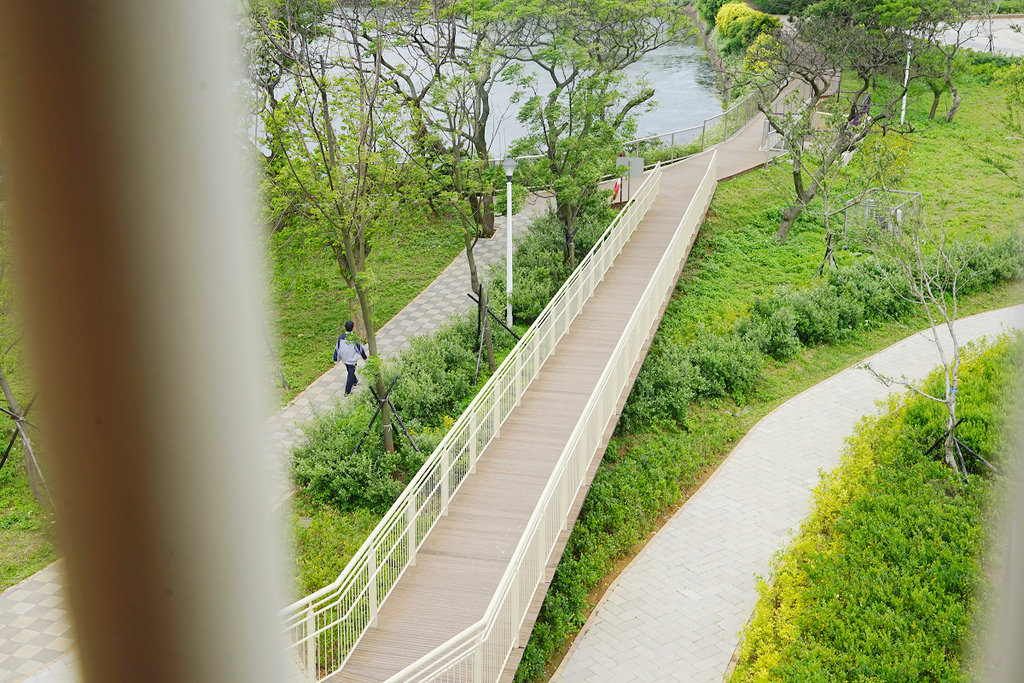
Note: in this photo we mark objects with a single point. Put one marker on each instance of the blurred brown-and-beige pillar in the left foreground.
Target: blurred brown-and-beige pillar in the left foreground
(135, 247)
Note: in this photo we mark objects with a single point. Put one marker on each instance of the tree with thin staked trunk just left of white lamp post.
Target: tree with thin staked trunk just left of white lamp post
(443, 61)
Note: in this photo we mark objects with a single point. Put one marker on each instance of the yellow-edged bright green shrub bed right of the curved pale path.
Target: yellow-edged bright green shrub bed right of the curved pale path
(881, 581)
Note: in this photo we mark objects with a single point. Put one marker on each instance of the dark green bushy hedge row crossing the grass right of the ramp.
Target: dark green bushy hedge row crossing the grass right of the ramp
(781, 325)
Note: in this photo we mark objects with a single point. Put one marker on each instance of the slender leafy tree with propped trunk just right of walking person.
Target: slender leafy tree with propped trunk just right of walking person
(336, 133)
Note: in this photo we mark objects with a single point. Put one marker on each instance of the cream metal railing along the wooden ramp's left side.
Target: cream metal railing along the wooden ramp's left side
(324, 628)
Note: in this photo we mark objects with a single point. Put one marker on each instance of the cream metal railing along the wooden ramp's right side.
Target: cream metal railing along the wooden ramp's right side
(481, 653)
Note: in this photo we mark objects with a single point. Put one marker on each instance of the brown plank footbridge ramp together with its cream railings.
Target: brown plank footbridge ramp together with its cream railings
(432, 619)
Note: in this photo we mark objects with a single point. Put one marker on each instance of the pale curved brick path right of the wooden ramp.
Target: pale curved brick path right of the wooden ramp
(676, 612)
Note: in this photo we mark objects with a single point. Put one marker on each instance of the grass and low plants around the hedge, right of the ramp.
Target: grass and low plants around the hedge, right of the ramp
(736, 260)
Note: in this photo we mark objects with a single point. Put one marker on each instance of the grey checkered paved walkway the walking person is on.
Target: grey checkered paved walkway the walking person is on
(36, 641)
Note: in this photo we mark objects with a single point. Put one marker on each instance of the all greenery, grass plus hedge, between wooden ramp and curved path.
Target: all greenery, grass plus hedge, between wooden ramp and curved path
(751, 313)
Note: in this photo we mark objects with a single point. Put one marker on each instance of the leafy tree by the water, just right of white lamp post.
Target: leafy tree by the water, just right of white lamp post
(579, 104)
